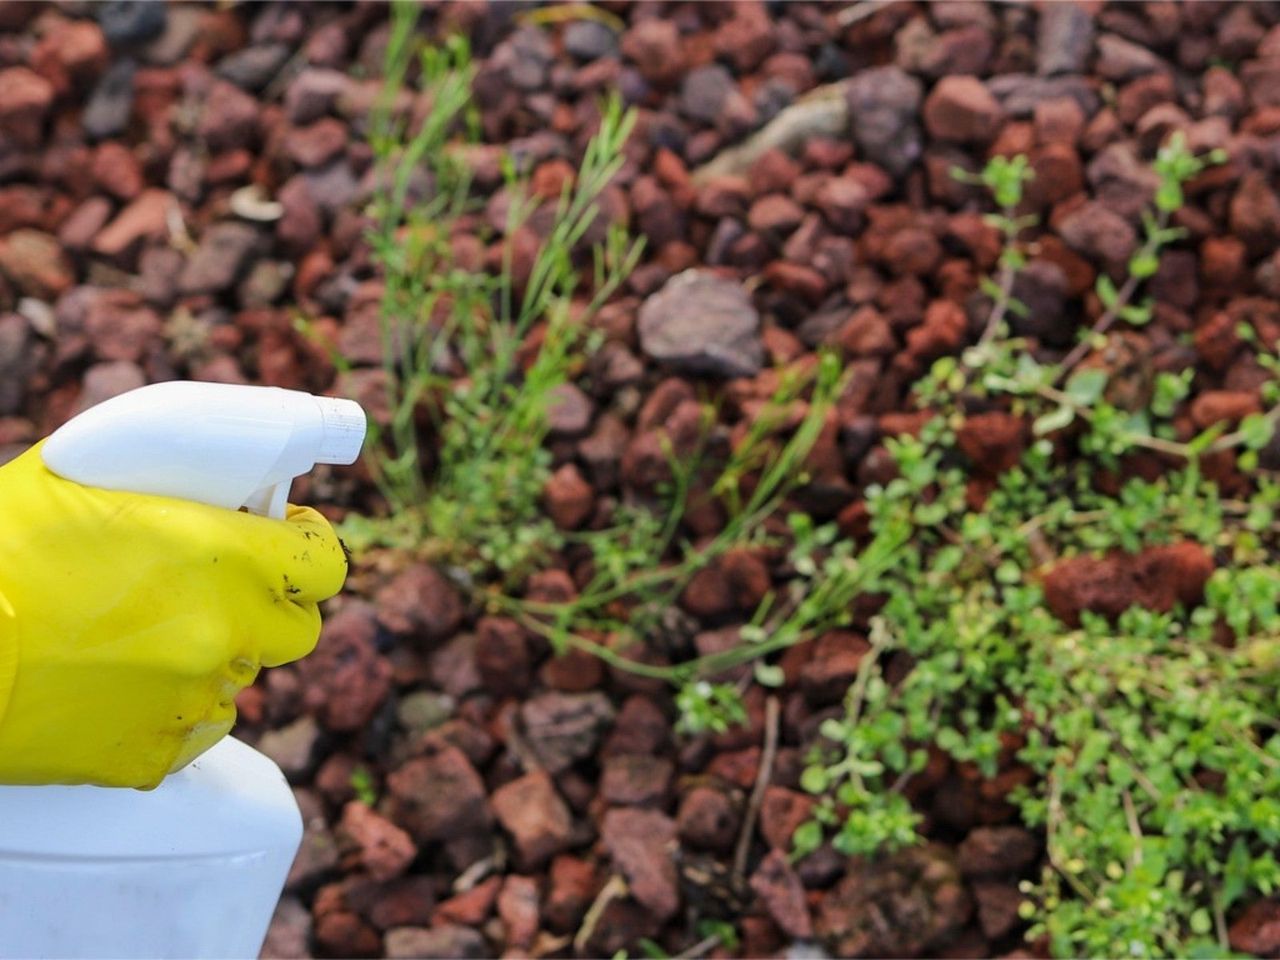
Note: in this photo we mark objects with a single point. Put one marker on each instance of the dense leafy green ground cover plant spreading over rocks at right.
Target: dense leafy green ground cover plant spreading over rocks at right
(1151, 734)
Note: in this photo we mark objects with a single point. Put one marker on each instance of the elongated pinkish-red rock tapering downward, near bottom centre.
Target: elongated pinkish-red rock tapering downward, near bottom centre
(641, 844)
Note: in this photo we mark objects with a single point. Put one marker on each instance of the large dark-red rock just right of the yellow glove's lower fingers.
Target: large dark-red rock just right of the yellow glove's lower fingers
(346, 679)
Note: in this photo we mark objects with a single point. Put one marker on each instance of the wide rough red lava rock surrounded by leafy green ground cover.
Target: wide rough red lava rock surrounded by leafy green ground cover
(1156, 579)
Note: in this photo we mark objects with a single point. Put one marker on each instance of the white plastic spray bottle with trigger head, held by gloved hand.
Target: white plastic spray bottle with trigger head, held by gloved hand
(195, 867)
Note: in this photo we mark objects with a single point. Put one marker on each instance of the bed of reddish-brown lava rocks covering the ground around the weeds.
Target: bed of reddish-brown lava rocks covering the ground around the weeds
(144, 150)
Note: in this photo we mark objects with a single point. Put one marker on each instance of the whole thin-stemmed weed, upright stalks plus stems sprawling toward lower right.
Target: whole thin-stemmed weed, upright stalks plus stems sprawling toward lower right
(478, 508)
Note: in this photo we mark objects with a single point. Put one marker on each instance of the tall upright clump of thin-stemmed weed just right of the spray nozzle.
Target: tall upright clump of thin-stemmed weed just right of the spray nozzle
(481, 506)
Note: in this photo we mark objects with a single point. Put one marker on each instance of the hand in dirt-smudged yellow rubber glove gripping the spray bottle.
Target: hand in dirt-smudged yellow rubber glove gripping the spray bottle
(130, 623)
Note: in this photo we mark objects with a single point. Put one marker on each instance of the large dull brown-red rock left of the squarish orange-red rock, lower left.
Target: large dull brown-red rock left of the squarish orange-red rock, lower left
(438, 797)
